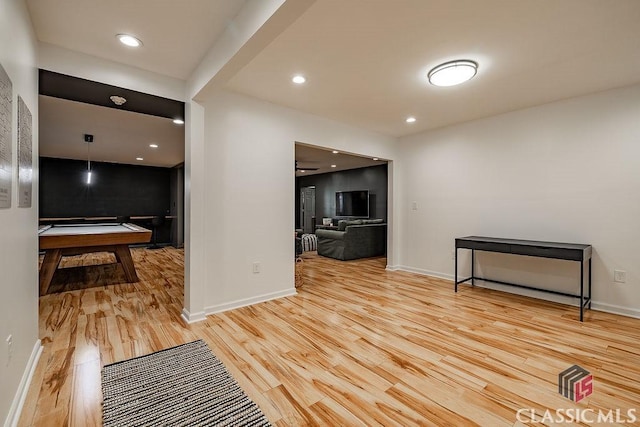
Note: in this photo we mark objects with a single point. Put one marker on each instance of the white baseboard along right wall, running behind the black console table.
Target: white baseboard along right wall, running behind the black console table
(598, 306)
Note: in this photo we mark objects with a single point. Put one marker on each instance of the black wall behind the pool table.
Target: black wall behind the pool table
(115, 190)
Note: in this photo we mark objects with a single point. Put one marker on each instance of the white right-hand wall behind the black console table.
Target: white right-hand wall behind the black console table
(567, 171)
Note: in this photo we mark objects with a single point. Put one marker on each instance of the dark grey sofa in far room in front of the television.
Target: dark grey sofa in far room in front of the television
(353, 239)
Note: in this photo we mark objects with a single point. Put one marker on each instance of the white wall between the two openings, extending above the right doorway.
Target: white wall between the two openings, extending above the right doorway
(249, 195)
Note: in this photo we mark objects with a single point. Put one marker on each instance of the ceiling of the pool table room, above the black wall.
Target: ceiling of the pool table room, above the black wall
(119, 135)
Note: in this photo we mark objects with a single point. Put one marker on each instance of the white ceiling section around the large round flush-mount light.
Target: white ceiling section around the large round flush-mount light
(366, 60)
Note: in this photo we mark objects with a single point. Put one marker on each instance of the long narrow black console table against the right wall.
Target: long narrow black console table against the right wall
(563, 251)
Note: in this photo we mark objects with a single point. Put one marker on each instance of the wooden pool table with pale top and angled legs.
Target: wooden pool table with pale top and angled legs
(75, 239)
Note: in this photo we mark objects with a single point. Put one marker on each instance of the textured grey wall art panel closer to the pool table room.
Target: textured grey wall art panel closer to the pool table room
(25, 168)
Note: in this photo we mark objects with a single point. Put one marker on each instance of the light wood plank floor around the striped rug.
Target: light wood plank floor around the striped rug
(358, 345)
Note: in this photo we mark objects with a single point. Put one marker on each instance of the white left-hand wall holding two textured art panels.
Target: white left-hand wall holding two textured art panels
(18, 241)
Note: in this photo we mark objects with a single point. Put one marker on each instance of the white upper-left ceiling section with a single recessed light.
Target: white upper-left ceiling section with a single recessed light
(175, 34)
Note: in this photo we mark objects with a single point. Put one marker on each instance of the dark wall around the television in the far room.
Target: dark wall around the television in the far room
(372, 178)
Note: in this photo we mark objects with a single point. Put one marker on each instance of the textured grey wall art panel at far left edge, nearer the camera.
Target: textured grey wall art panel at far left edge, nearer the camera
(6, 97)
